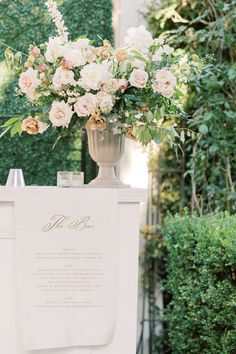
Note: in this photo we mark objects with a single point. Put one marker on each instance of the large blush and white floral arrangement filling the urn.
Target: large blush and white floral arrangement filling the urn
(136, 89)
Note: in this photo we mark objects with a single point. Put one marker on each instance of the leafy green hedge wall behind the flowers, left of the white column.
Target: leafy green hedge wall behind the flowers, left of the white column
(21, 23)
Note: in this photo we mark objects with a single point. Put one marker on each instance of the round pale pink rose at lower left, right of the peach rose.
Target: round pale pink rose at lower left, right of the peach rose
(60, 114)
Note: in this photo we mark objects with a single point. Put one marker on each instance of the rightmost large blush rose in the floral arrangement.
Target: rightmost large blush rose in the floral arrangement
(164, 82)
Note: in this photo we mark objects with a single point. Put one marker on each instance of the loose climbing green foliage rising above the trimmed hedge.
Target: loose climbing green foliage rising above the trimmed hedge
(208, 28)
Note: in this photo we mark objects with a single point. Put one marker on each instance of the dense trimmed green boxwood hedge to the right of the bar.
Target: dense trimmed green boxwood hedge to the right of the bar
(201, 266)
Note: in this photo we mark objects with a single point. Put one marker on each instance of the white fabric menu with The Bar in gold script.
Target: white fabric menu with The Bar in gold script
(66, 257)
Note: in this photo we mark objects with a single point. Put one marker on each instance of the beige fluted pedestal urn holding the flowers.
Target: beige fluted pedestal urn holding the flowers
(106, 149)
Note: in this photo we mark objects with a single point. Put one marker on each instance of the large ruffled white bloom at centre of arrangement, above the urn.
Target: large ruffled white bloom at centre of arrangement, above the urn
(94, 75)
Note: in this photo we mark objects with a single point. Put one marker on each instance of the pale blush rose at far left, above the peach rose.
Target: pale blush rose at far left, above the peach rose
(28, 82)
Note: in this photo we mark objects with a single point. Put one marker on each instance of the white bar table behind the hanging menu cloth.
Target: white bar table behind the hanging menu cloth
(124, 341)
